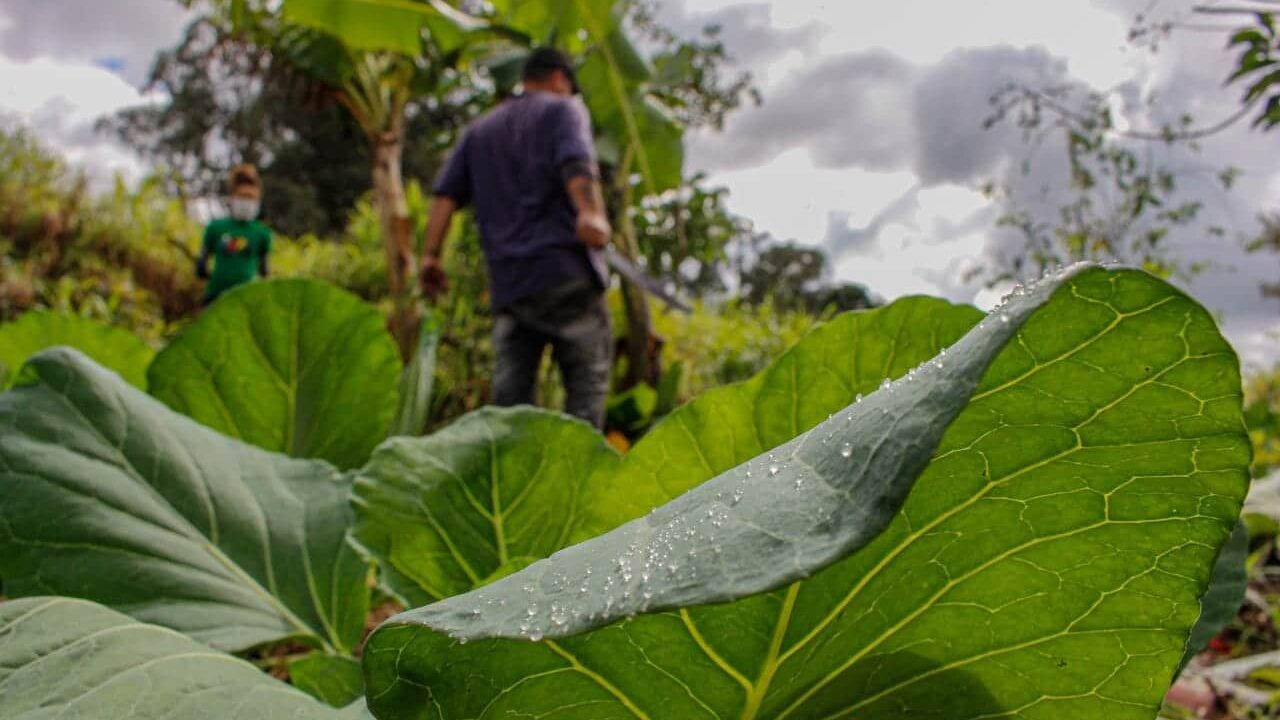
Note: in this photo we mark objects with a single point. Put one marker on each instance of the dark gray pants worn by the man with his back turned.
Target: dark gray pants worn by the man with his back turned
(574, 321)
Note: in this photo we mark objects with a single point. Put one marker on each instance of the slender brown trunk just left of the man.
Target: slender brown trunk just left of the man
(394, 211)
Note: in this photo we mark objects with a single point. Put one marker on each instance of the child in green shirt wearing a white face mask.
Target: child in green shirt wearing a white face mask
(240, 245)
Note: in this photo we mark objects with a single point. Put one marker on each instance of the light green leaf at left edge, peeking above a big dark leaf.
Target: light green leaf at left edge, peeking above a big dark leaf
(113, 348)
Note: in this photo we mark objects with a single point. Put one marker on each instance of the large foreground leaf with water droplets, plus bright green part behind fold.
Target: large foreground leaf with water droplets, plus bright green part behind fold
(1072, 476)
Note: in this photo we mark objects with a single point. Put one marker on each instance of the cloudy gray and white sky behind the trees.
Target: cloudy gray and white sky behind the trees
(870, 140)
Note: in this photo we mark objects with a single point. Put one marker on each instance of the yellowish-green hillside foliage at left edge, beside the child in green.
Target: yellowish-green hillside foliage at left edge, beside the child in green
(122, 258)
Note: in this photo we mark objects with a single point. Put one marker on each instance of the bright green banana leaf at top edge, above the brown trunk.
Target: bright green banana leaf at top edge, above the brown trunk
(386, 25)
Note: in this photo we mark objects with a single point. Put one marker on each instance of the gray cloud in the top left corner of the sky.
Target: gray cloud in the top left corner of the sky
(122, 35)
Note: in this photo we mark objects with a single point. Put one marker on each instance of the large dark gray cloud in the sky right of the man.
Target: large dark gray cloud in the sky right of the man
(876, 112)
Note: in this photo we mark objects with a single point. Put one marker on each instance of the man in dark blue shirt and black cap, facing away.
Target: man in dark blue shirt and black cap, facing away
(529, 171)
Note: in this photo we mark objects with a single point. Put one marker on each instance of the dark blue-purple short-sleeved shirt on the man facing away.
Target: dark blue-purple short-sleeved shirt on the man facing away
(510, 167)
